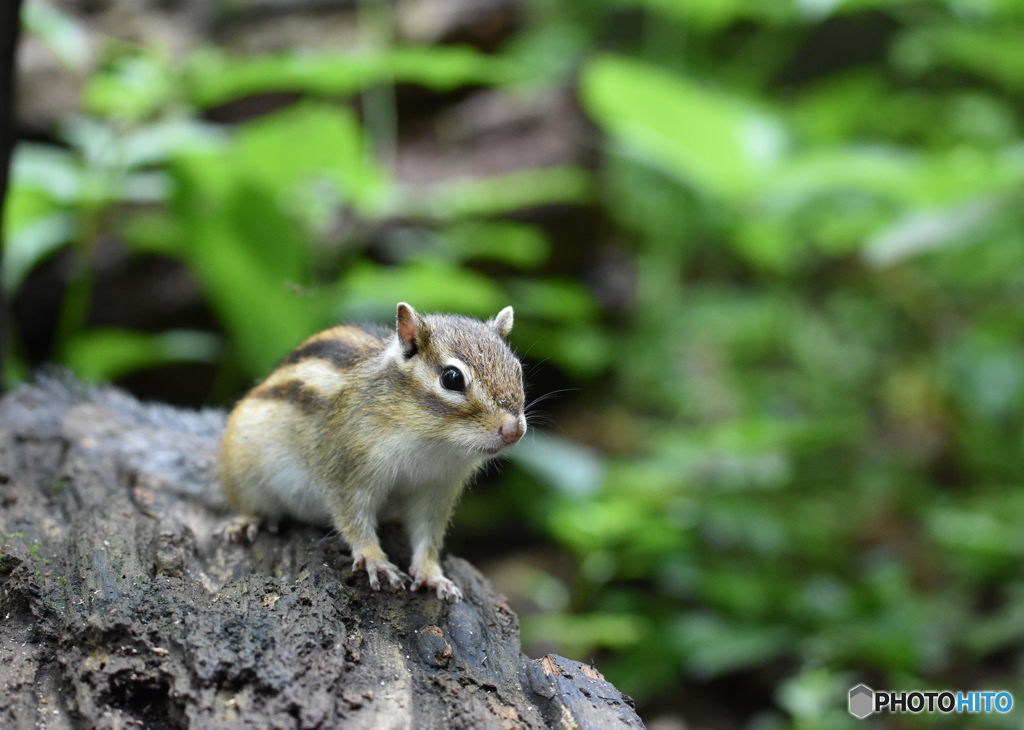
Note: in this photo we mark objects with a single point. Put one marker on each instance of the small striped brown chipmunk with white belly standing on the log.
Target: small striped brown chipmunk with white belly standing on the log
(362, 423)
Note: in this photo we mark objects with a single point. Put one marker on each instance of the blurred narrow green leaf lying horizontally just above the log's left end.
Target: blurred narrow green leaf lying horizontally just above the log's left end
(100, 356)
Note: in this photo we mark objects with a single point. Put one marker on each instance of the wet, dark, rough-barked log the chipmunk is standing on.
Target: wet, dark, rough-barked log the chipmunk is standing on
(120, 609)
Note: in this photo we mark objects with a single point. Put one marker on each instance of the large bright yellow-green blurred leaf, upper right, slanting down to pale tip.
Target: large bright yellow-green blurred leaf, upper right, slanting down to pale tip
(714, 142)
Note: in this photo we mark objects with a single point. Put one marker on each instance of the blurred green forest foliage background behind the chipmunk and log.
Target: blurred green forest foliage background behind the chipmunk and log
(772, 254)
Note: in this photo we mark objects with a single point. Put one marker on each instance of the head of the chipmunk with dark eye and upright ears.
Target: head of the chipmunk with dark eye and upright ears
(465, 377)
